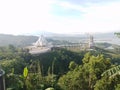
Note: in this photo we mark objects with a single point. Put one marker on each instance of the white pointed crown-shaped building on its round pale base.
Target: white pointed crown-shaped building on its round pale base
(41, 42)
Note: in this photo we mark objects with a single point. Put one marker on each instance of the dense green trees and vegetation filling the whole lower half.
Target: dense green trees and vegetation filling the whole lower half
(60, 69)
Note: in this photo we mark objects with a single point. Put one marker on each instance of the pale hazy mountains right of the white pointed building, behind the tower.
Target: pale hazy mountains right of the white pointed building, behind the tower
(98, 37)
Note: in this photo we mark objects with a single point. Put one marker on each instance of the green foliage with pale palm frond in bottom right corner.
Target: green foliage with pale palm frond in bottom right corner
(110, 79)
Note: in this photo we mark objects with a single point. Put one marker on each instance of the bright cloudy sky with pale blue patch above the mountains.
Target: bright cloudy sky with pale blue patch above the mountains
(59, 16)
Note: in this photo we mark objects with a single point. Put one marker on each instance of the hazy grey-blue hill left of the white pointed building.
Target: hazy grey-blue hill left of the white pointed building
(18, 40)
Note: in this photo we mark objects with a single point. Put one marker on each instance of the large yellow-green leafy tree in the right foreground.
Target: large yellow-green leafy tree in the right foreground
(85, 76)
